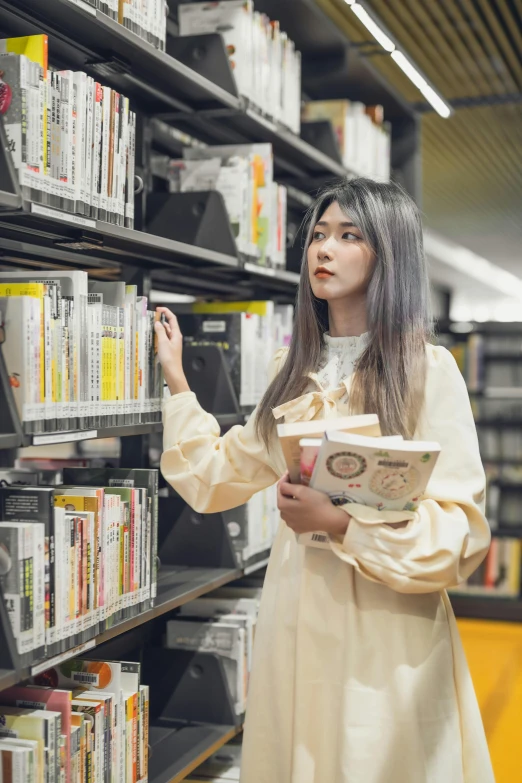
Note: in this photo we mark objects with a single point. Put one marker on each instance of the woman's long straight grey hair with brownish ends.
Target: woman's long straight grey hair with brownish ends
(390, 376)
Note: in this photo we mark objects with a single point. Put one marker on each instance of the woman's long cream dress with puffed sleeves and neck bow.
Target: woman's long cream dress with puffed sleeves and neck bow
(359, 675)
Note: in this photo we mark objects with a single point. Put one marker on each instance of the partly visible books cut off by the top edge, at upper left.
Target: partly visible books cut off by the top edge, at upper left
(146, 18)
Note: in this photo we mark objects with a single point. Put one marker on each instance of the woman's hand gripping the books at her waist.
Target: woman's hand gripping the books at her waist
(305, 510)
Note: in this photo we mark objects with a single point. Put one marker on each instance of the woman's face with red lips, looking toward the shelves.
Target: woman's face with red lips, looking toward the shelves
(340, 262)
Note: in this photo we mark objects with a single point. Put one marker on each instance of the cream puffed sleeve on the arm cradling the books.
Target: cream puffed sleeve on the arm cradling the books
(443, 542)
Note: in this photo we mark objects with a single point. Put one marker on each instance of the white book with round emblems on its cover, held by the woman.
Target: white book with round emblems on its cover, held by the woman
(382, 472)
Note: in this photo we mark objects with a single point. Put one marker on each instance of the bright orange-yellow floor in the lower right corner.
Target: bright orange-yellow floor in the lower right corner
(494, 652)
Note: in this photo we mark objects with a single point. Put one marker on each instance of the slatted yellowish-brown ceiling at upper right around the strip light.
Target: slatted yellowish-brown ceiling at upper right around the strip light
(472, 162)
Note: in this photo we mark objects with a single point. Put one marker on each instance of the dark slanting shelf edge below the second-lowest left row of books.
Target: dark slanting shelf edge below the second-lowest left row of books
(12, 677)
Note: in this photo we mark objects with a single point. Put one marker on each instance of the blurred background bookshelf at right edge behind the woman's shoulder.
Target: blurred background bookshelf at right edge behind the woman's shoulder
(488, 355)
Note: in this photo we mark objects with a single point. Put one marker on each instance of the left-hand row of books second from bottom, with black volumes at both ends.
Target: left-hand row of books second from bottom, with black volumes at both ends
(77, 559)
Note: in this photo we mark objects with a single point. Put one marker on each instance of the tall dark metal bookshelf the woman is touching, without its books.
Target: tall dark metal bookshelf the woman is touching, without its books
(190, 87)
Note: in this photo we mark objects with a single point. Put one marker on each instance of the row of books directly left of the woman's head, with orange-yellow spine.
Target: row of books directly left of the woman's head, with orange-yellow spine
(256, 205)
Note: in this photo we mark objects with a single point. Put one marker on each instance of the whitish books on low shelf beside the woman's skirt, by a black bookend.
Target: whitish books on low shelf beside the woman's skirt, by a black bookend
(223, 624)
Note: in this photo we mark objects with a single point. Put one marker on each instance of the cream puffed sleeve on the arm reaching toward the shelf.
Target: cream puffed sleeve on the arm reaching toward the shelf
(214, 472)
